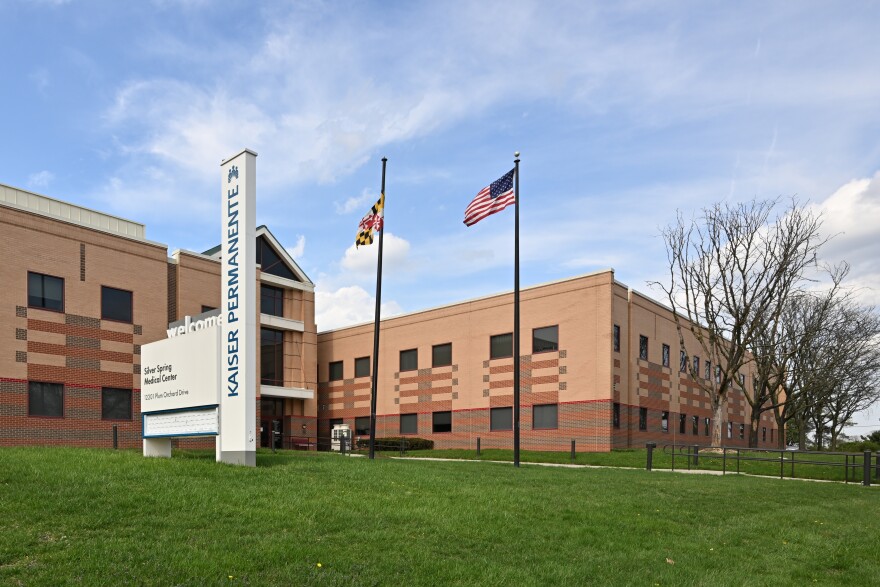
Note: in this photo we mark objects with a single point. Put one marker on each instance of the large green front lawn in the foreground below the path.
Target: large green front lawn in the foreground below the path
(101, 517)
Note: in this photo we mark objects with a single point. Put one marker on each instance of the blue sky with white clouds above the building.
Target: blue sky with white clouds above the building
(624, 113)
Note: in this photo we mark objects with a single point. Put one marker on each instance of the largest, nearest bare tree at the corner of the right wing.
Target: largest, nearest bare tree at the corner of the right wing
(731, 270)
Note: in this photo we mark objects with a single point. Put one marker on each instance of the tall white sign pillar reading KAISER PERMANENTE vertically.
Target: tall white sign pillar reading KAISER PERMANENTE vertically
(236, 443)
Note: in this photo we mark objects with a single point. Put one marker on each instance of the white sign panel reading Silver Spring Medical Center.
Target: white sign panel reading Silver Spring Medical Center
(181, 372)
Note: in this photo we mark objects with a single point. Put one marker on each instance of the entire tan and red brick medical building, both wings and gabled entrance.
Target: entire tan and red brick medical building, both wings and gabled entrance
(83, 291)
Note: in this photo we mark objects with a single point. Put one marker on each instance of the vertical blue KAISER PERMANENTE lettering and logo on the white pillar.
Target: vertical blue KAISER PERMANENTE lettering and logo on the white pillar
(232, 309)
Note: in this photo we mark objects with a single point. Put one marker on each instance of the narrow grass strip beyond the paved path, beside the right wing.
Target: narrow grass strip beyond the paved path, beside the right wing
(637, 458)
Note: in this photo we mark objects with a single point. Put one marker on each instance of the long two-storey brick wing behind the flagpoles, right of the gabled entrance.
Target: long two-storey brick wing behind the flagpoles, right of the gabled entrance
(600, 366)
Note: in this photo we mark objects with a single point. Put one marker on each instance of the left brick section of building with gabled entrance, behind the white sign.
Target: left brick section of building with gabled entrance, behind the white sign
(83, 291)
